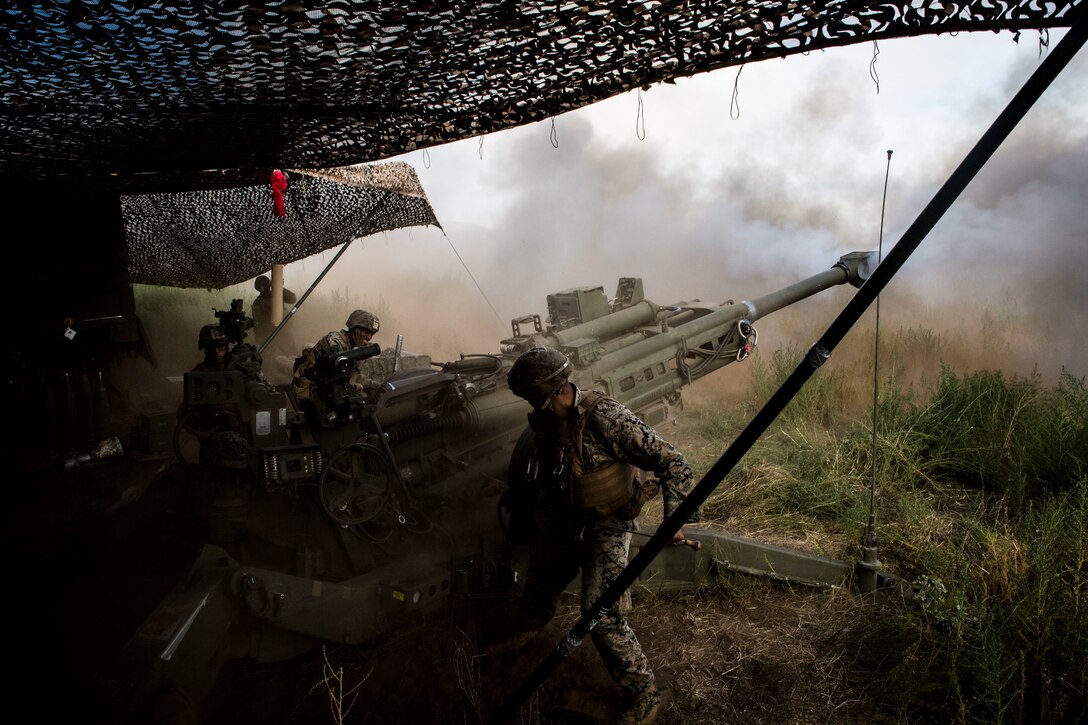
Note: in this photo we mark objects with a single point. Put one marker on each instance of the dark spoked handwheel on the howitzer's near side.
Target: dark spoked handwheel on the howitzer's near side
(360, 487)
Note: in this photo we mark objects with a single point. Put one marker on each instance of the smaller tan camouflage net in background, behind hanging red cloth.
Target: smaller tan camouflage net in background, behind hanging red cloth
(217, 238)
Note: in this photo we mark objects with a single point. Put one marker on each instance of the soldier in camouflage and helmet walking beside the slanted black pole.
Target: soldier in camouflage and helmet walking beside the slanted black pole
(585, 503)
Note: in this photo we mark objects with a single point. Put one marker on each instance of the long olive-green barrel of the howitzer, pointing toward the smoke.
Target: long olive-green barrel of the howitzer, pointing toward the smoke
(641, 374)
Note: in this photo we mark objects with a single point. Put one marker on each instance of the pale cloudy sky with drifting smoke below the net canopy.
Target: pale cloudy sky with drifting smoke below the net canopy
(713, 195)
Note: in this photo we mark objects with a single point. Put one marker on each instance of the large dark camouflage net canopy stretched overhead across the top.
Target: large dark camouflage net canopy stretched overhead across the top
(154, 95)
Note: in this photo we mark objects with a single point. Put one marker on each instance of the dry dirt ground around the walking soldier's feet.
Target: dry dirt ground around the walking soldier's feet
(755, 654)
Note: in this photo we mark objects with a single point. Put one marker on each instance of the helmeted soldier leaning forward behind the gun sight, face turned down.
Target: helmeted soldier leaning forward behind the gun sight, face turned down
(312, 380)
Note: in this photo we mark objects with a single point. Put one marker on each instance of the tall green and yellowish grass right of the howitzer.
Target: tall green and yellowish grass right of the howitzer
(981, 503)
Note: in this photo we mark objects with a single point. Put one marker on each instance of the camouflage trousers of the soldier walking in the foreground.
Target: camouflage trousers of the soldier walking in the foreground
(599, 549)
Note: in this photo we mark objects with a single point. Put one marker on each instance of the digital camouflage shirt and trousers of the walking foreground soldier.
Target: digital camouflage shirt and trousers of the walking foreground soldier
(571, 540)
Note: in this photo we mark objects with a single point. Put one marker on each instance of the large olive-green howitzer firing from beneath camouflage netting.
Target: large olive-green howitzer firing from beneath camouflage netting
(349, 532)
